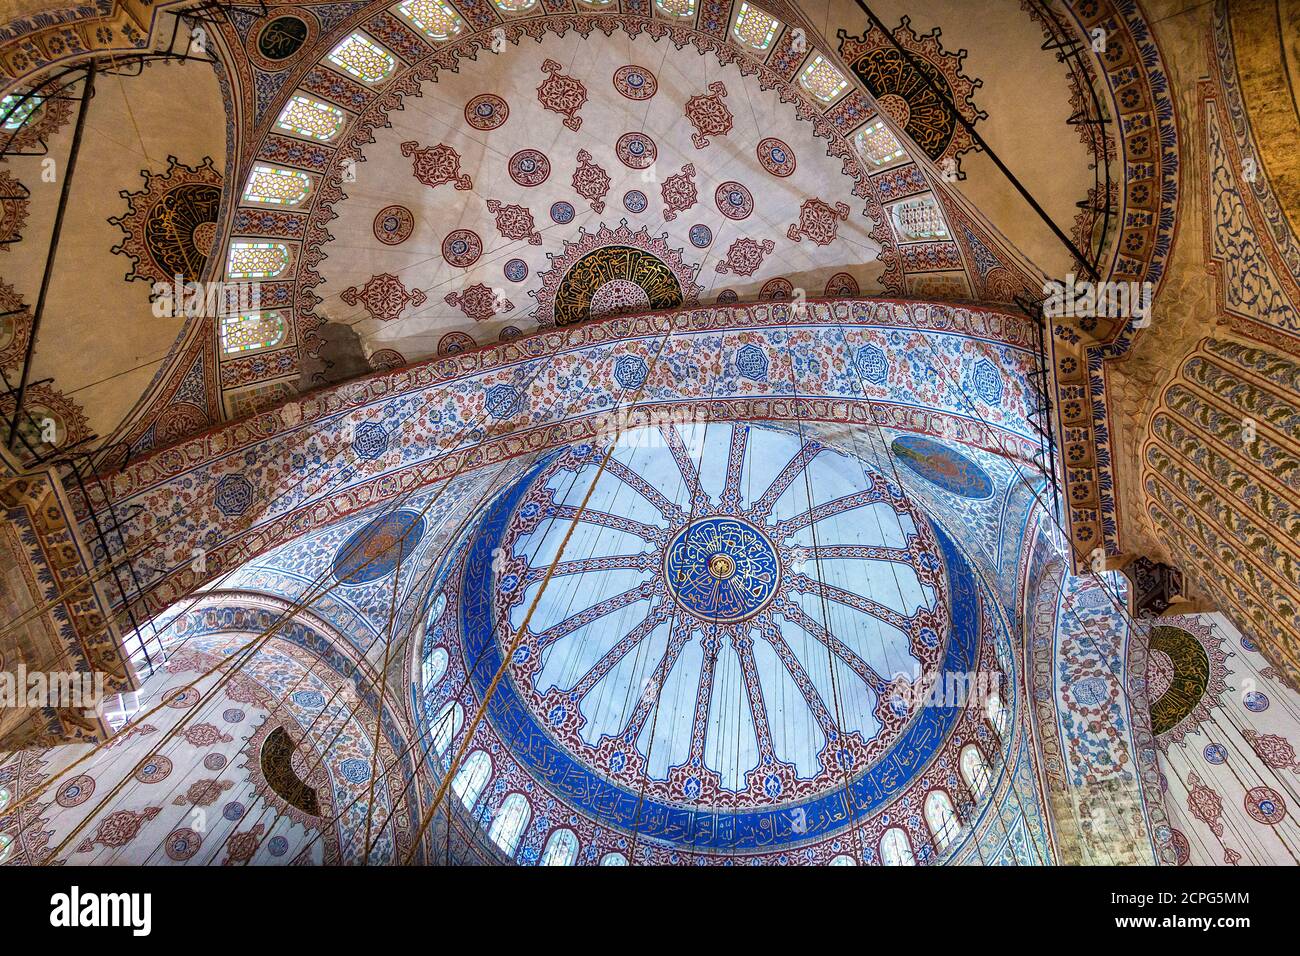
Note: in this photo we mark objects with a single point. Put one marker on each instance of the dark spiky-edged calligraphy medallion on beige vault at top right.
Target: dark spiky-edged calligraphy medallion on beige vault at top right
(908, 94)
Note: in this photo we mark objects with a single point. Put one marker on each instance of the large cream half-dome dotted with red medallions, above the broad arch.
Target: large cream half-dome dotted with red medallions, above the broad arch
(575, 178)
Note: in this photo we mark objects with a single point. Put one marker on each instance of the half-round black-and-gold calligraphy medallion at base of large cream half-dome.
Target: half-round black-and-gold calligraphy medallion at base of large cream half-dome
(614, 271)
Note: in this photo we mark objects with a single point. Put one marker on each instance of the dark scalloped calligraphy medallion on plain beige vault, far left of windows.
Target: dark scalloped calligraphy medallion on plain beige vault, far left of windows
(172, 224)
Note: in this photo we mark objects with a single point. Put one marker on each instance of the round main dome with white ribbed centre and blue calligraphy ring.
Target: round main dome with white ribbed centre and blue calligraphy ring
(731, 652)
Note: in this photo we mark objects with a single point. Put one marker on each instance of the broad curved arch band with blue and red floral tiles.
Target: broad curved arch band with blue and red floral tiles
(246, 487)
